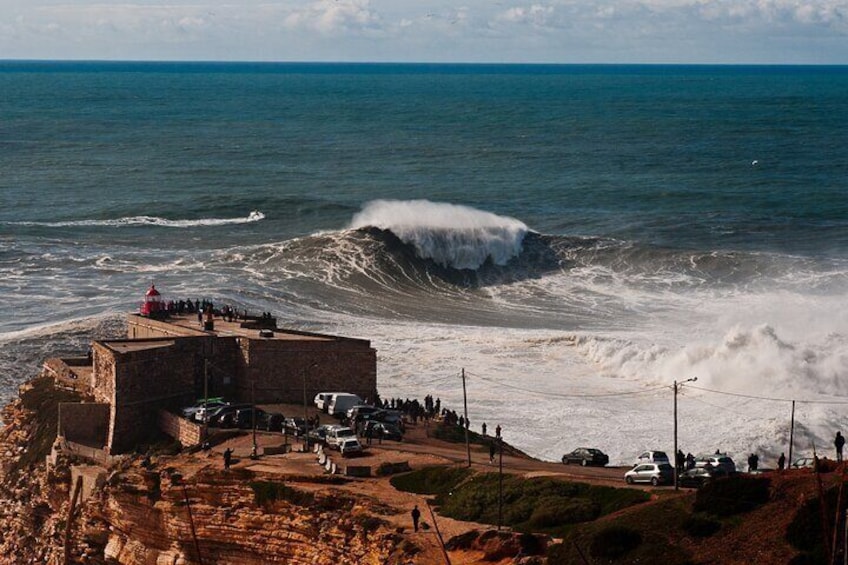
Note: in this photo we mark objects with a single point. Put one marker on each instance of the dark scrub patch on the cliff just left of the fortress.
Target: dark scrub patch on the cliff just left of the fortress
(43, 399)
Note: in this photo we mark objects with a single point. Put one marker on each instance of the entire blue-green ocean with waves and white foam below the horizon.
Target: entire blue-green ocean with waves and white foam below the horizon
(575, 238)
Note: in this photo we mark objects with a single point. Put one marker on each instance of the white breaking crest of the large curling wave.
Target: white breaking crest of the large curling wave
(453, 236)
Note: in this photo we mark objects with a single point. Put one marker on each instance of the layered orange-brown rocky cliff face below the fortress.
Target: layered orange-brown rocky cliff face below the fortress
(167, 514)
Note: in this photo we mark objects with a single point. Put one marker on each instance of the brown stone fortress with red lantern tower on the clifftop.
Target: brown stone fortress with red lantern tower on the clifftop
(136, 386)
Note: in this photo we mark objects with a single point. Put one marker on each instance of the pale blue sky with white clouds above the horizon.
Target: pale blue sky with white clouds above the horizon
(509, 31)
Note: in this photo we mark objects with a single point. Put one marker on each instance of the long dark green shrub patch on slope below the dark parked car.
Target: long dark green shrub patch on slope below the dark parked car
(527, 505)
